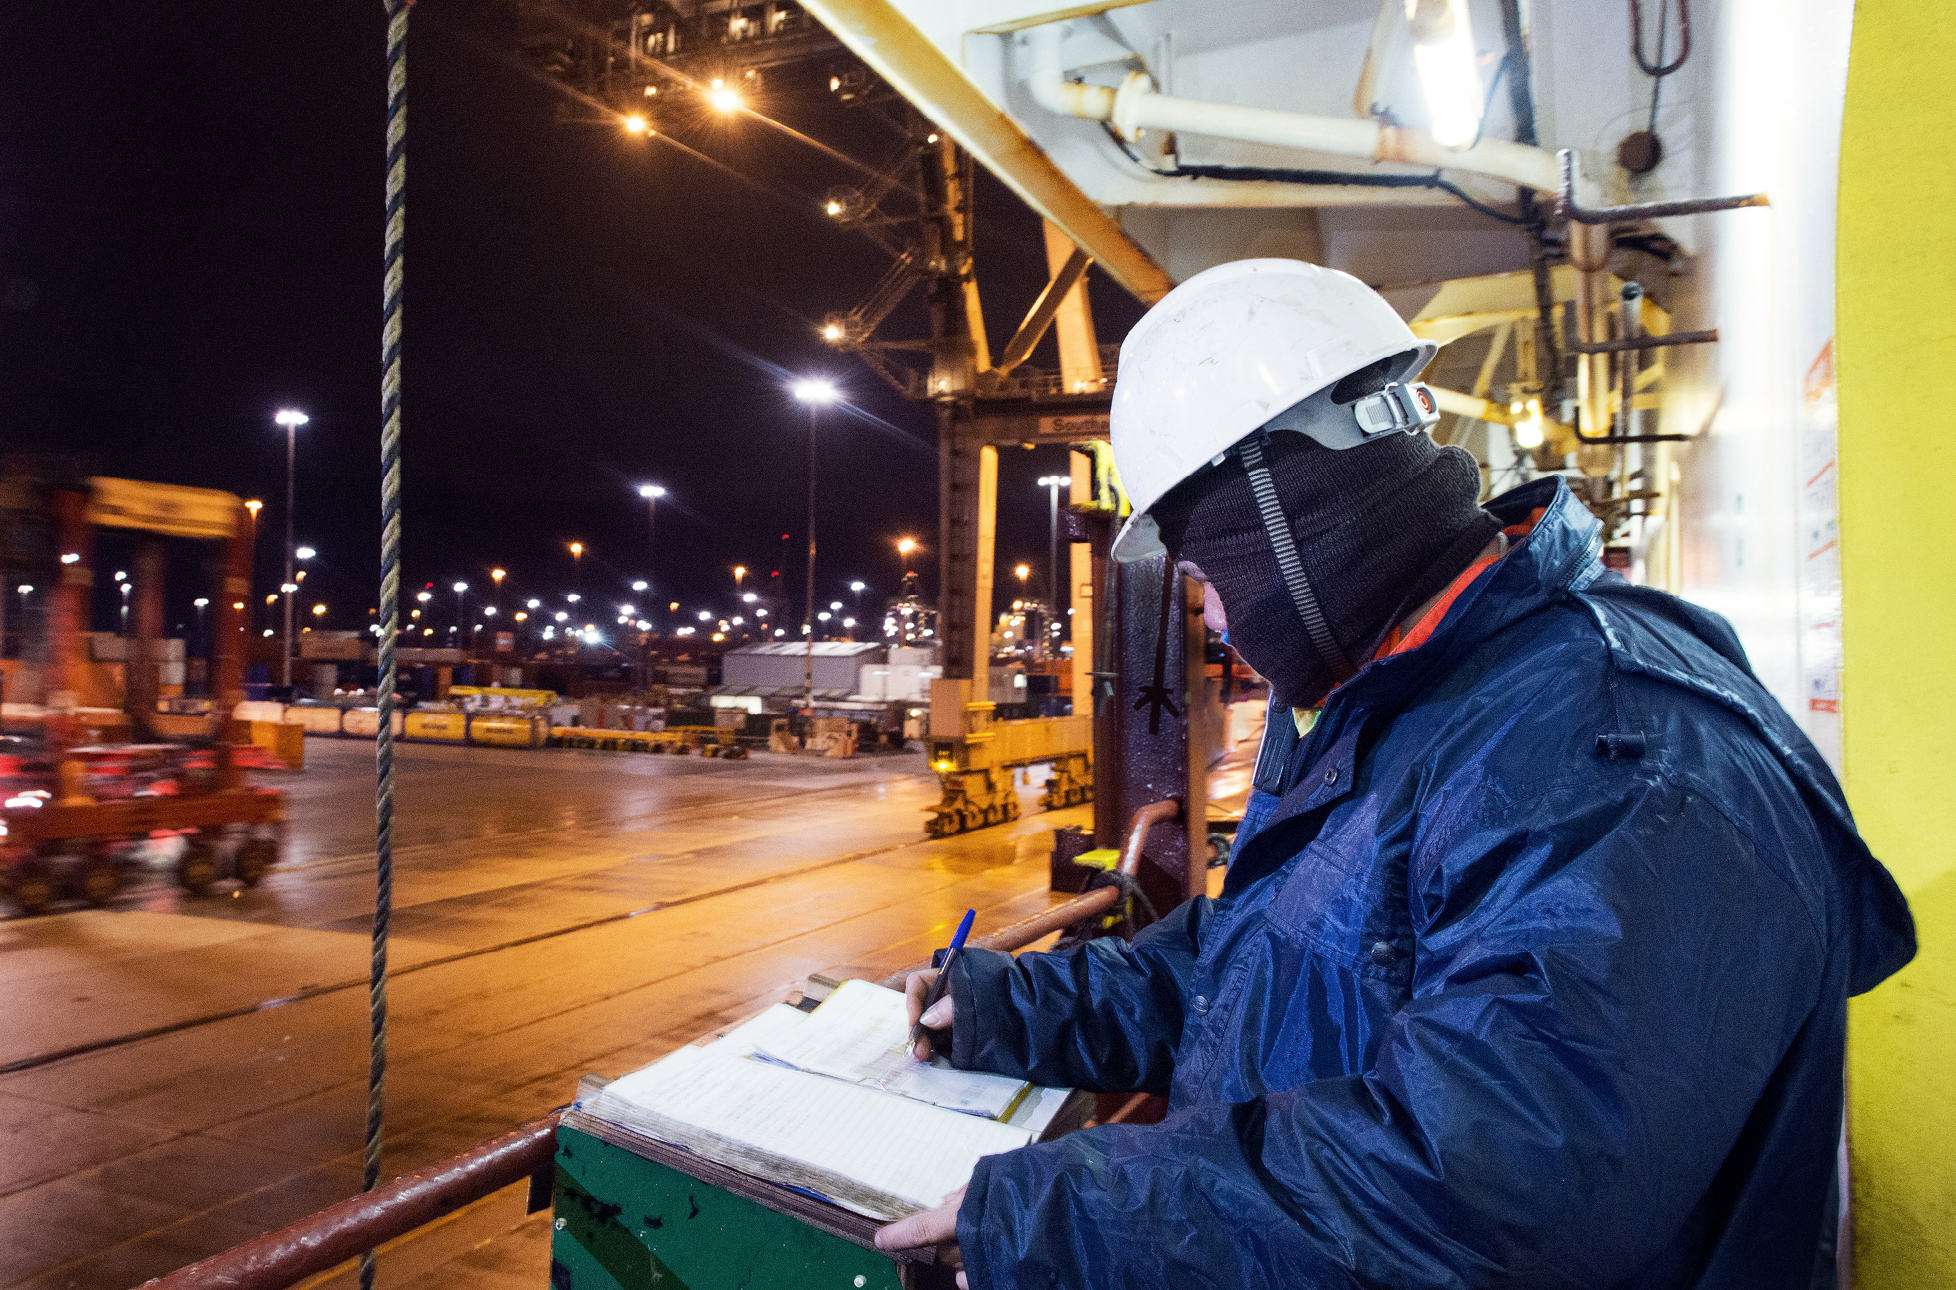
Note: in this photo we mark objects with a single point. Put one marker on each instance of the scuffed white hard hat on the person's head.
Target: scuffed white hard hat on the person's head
(1235, 349)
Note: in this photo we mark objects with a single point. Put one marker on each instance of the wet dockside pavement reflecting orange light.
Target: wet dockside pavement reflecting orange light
(555, 914)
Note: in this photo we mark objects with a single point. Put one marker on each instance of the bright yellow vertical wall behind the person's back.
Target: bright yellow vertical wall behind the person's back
(1898, 552)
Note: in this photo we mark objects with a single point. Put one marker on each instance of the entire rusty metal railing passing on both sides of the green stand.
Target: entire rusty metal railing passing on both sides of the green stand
(369, 1221)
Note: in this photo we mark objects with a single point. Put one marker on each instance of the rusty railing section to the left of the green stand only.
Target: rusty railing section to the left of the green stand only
(373, 1219)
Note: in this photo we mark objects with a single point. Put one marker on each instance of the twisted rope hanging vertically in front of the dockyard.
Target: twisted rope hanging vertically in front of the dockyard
(390, 587)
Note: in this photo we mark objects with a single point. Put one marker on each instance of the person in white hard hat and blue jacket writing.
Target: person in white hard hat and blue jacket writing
(1534, 951)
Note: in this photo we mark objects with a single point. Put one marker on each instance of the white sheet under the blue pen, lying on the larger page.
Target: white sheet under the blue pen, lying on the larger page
(862, 1033)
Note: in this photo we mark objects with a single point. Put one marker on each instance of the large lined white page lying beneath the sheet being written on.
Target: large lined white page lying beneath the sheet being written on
(891, 1144)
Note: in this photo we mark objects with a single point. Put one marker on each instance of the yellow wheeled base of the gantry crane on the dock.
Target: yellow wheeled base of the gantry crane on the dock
(977, 761)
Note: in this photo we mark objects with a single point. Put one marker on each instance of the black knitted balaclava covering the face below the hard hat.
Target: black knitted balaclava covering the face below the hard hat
(1380, 529)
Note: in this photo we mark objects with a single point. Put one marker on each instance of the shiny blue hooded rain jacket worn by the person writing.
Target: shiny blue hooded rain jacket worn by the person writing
(1534, 976)
